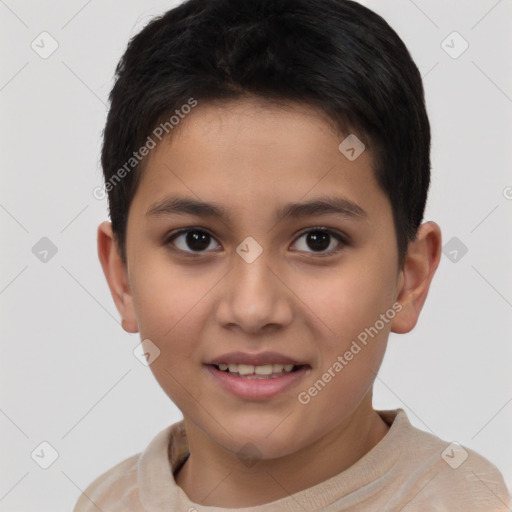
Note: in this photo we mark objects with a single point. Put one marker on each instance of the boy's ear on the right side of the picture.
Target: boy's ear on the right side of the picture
(421, 262)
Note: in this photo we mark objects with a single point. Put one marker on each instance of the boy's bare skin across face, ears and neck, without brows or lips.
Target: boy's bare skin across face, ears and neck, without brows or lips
(252, 157)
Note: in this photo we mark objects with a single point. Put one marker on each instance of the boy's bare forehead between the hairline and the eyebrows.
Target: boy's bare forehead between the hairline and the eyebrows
(248, 155)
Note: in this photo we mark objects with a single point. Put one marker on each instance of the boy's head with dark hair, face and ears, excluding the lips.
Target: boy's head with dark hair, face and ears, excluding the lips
(244, 107)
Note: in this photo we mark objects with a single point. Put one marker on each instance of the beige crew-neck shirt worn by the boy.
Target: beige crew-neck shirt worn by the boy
(408, 470)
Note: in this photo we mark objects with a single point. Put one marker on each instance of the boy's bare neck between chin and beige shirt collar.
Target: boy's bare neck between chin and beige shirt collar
(213, 476)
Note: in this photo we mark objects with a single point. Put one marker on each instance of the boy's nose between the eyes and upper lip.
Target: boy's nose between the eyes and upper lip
(253, 297)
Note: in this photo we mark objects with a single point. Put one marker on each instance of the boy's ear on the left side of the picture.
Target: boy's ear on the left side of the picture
(116, 273)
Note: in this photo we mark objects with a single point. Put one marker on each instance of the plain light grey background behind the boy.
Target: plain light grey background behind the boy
(68, 374)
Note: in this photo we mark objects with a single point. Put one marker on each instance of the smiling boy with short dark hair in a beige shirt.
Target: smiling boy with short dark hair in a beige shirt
(240, 135)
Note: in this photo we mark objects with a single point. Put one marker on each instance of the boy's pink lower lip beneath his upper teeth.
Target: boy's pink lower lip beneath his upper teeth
(257, 389)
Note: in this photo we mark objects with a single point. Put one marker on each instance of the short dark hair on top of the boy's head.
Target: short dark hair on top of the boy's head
(336, 55)
